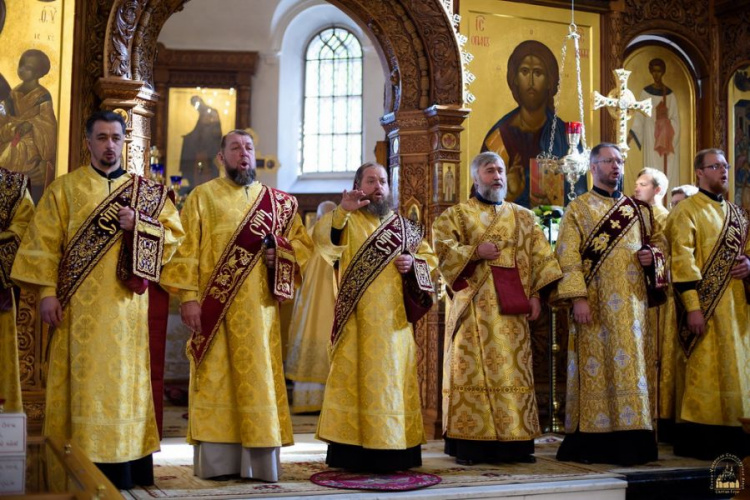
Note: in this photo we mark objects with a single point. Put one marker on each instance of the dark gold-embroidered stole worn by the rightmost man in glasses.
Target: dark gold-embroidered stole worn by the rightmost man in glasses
(715, 272)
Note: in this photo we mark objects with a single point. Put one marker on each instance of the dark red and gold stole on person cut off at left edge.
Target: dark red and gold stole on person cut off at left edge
(13, 185)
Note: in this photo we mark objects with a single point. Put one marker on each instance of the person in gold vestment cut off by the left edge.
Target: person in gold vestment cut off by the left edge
(16, 210)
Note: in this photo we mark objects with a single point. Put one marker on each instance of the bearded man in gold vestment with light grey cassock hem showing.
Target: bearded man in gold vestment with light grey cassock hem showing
(244, 247)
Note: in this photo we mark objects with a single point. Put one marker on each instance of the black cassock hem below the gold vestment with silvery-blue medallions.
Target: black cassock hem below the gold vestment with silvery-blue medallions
(620, 447)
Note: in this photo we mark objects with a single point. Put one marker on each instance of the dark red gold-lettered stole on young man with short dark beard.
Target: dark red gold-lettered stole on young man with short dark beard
(140, 255)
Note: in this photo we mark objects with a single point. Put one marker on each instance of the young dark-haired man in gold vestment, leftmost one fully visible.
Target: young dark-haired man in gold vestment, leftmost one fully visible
(99, 385)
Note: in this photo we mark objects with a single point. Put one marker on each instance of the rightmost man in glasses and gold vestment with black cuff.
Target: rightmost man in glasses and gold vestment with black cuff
(709, 248)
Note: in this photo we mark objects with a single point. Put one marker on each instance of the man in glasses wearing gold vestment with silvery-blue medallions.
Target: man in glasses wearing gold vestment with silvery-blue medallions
(608, 416)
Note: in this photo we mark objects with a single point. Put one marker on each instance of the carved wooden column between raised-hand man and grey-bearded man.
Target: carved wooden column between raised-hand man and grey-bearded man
(425, 172)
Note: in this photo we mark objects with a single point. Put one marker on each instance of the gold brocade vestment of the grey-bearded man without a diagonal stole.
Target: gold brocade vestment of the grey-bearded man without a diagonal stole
(488, 384)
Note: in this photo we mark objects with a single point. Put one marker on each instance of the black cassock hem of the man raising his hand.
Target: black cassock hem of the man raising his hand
(359, 459)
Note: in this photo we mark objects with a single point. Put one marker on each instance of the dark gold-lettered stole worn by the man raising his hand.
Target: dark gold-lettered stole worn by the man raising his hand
(395, 236)
